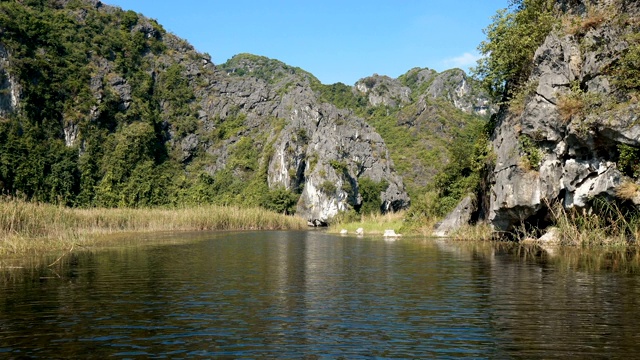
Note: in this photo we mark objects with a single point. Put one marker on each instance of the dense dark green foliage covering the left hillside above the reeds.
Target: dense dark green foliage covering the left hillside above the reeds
(81, 138)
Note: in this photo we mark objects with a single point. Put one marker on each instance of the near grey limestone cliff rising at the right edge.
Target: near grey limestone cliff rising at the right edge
(575, 148)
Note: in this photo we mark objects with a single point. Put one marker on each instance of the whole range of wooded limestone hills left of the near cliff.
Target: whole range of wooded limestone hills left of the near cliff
(103, 107)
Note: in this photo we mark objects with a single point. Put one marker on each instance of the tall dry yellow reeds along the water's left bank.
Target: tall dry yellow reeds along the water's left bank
(30, 227)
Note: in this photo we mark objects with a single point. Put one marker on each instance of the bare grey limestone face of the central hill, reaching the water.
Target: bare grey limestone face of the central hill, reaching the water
(320, 151)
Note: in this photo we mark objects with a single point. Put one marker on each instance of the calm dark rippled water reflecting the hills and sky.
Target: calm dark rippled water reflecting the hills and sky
(297, 294)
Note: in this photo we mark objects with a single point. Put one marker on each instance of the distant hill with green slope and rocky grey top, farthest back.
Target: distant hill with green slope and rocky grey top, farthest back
(420, 114)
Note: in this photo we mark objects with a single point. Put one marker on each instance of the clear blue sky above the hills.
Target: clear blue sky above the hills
(337, 41)
